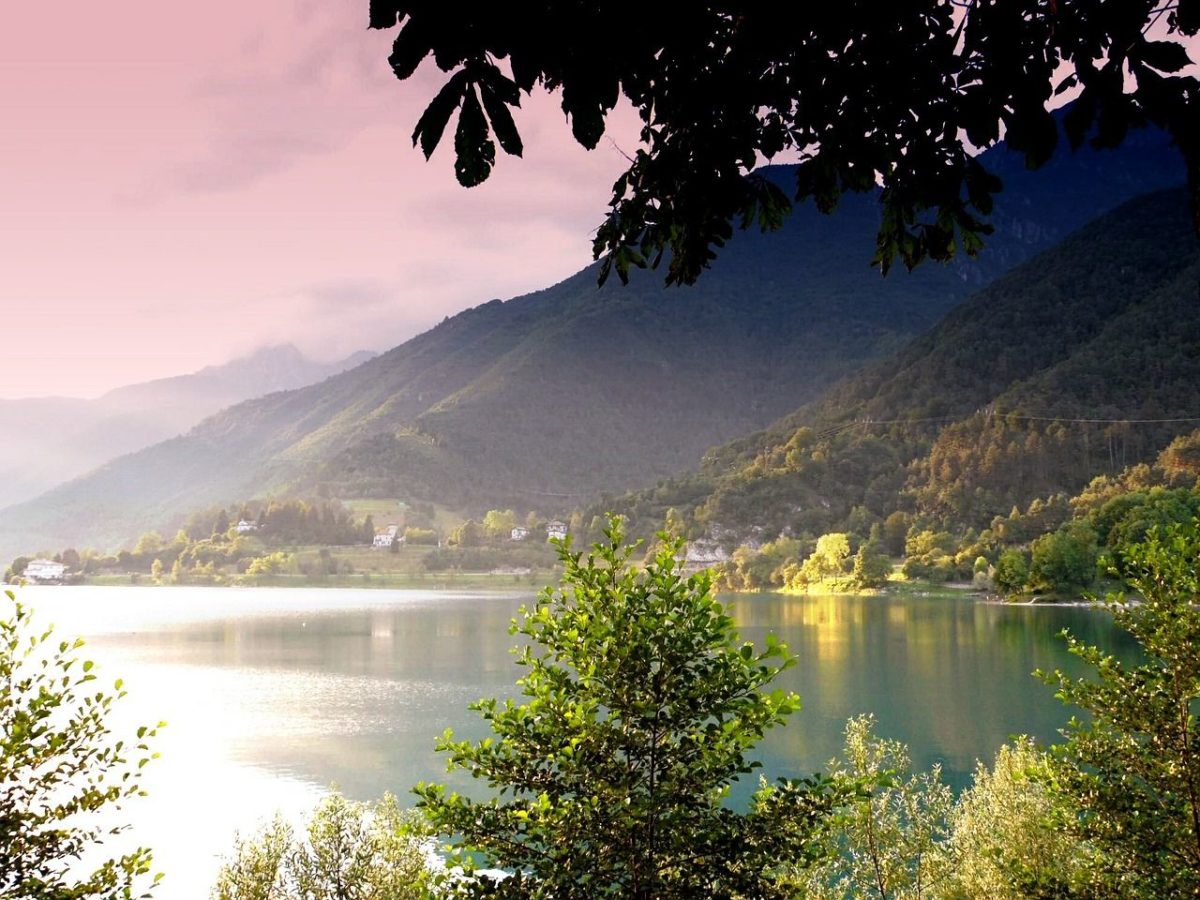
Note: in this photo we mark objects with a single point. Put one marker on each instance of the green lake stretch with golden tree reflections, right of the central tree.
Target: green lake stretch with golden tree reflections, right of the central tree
(951, 679)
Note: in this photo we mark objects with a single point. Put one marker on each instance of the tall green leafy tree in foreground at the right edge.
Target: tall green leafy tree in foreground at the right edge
(1133, 765)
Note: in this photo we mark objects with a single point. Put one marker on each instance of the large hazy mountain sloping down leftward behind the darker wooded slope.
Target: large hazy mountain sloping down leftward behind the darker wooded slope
(549, 399)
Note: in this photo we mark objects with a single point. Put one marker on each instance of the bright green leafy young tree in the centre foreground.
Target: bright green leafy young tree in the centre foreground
(611, 778)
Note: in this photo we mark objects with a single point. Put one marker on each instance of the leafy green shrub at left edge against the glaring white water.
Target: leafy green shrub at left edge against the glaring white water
(62, 773)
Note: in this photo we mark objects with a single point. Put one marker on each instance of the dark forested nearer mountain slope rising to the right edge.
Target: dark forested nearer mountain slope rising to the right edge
(1082, 362)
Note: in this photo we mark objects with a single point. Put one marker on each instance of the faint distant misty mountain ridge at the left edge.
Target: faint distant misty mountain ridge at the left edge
(53, 440)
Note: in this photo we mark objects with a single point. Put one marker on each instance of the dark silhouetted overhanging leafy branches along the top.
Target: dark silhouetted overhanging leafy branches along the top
(866, 93)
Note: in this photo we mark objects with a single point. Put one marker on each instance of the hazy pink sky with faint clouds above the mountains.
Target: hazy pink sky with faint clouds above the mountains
(183, 183)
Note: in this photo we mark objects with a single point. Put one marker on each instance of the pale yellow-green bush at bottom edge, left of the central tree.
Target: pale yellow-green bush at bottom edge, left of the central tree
(351, 851)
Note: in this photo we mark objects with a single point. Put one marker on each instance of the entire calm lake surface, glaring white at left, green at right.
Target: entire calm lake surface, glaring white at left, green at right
(274, 695)
